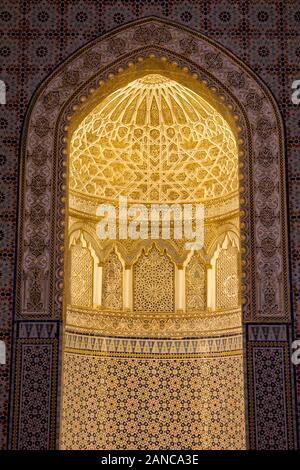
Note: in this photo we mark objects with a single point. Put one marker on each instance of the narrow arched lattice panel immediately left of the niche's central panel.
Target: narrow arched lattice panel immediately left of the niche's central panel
(112, 284)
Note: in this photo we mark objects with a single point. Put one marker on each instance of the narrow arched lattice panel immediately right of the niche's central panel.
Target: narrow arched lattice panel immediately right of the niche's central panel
(195, 285)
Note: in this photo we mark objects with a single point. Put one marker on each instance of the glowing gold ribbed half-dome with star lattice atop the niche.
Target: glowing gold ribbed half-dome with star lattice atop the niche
(154, 140)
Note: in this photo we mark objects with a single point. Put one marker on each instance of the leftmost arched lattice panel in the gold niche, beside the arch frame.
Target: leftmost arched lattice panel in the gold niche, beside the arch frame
(82, 276)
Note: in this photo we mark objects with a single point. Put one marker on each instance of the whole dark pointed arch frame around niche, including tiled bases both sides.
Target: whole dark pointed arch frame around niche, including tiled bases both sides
(41, 244)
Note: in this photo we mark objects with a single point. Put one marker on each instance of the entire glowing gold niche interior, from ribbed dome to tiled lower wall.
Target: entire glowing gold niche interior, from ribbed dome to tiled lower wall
(152, 343)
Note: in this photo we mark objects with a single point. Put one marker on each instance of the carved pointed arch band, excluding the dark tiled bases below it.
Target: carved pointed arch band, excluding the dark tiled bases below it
(261, 157)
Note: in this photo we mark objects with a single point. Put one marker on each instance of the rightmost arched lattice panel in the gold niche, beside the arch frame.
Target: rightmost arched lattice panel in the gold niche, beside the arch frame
(227, 278)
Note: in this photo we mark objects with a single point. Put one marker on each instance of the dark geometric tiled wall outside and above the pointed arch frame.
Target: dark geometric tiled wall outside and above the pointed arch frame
(37, 38)
